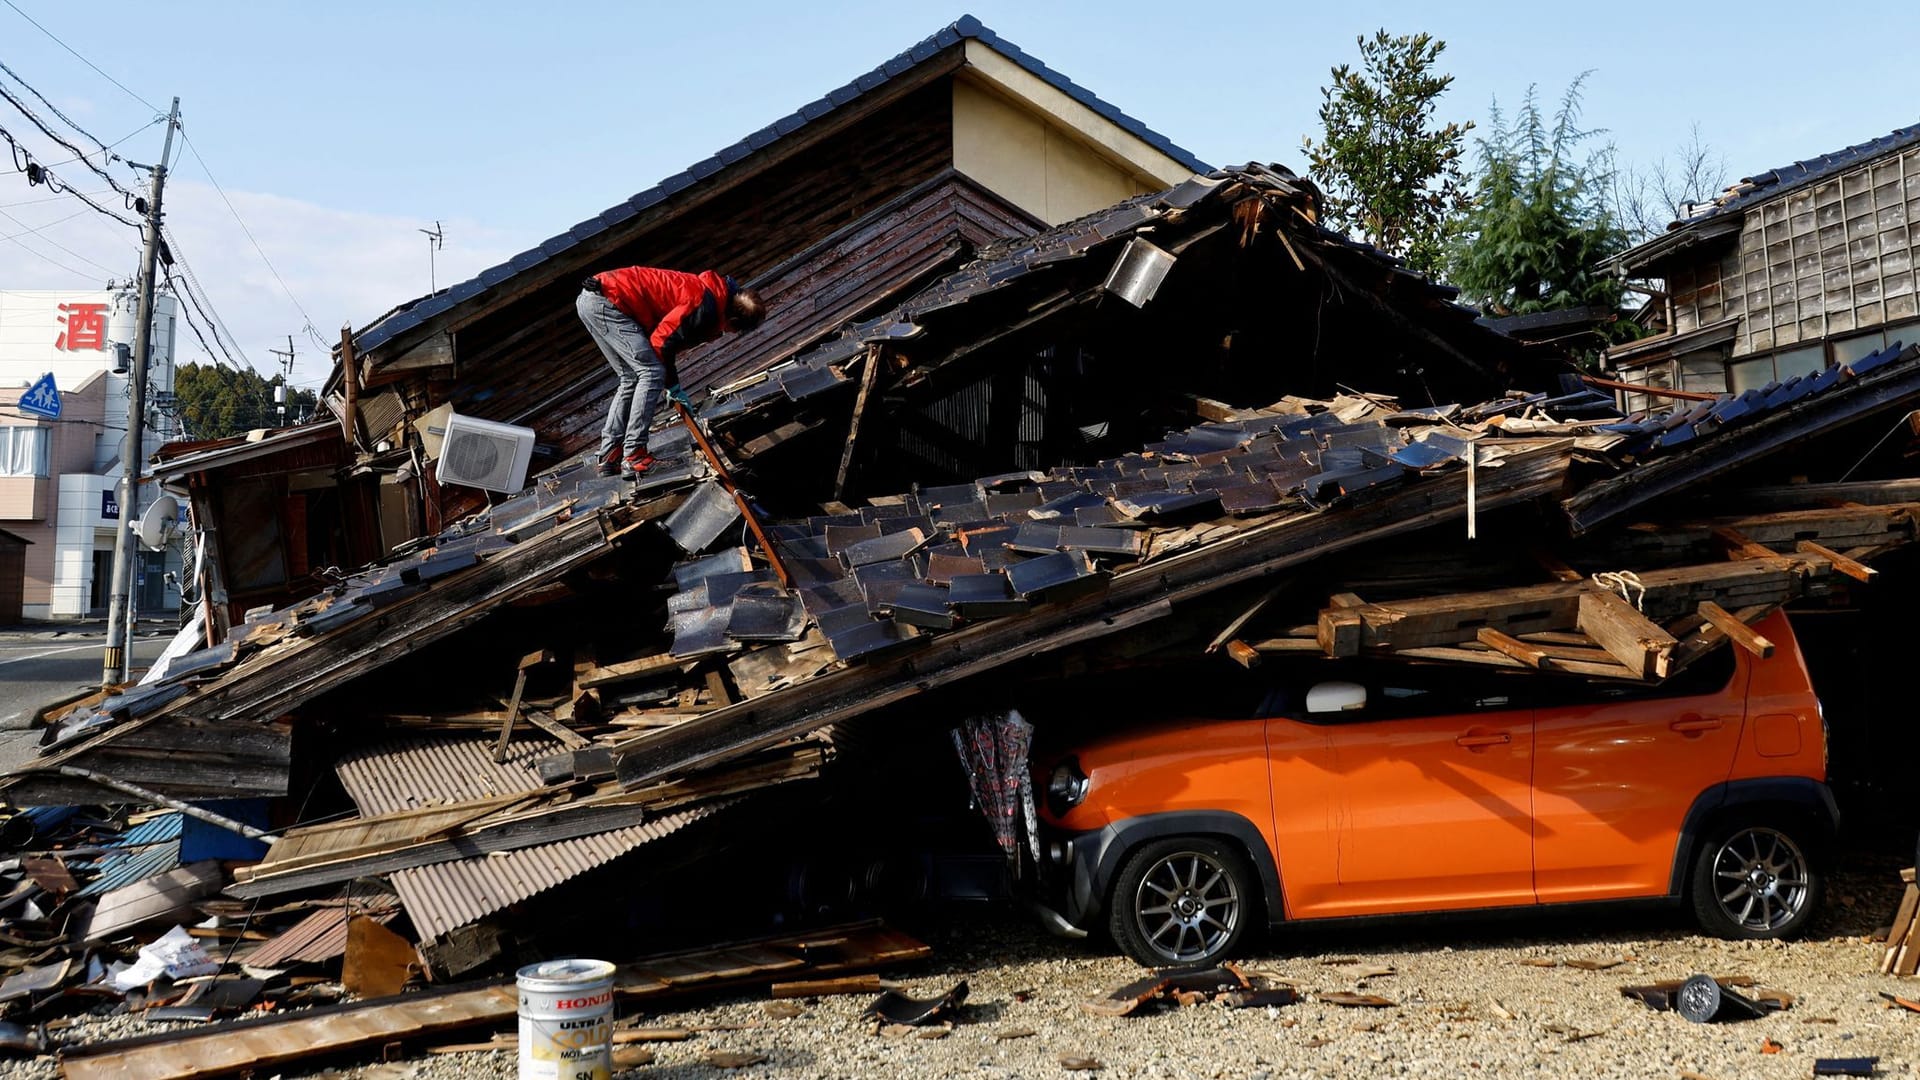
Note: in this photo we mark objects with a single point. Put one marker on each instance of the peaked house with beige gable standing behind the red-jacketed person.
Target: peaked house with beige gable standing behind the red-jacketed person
(834, 212)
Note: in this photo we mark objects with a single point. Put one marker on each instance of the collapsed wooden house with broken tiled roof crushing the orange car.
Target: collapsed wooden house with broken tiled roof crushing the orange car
(598, 670)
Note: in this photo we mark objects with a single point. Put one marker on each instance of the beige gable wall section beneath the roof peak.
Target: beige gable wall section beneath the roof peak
(1042, 151)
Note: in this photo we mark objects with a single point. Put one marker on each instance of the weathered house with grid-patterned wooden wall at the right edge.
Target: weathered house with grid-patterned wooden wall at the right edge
(1785, 274)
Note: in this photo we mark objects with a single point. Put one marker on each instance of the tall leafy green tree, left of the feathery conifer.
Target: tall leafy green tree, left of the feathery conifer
(1389, 172)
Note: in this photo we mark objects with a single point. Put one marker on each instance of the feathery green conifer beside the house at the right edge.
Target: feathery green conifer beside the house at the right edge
(1541, 220)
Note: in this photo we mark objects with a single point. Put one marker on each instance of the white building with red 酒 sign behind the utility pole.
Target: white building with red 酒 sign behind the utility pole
(59, 479)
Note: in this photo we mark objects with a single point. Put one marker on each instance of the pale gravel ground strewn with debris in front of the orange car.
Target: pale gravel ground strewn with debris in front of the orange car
(1466, 1002)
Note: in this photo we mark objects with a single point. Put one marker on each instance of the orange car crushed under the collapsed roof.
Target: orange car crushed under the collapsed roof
(1383, 789)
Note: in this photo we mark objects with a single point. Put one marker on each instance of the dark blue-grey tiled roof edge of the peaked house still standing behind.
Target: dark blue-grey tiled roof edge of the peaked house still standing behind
(963, 30)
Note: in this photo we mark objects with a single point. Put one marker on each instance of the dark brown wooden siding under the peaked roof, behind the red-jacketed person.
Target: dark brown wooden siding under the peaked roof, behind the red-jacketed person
(533, 362)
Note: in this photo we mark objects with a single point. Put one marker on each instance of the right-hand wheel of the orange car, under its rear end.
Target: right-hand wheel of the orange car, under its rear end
(1756, 881)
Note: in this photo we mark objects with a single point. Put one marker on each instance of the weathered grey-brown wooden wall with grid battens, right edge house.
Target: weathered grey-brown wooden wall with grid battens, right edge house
(1821, 262)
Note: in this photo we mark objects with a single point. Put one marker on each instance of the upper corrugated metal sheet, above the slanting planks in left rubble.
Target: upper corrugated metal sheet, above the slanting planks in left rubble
(433, 772)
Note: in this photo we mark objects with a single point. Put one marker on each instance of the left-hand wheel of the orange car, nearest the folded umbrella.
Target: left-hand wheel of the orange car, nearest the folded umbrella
(1184, 902)
